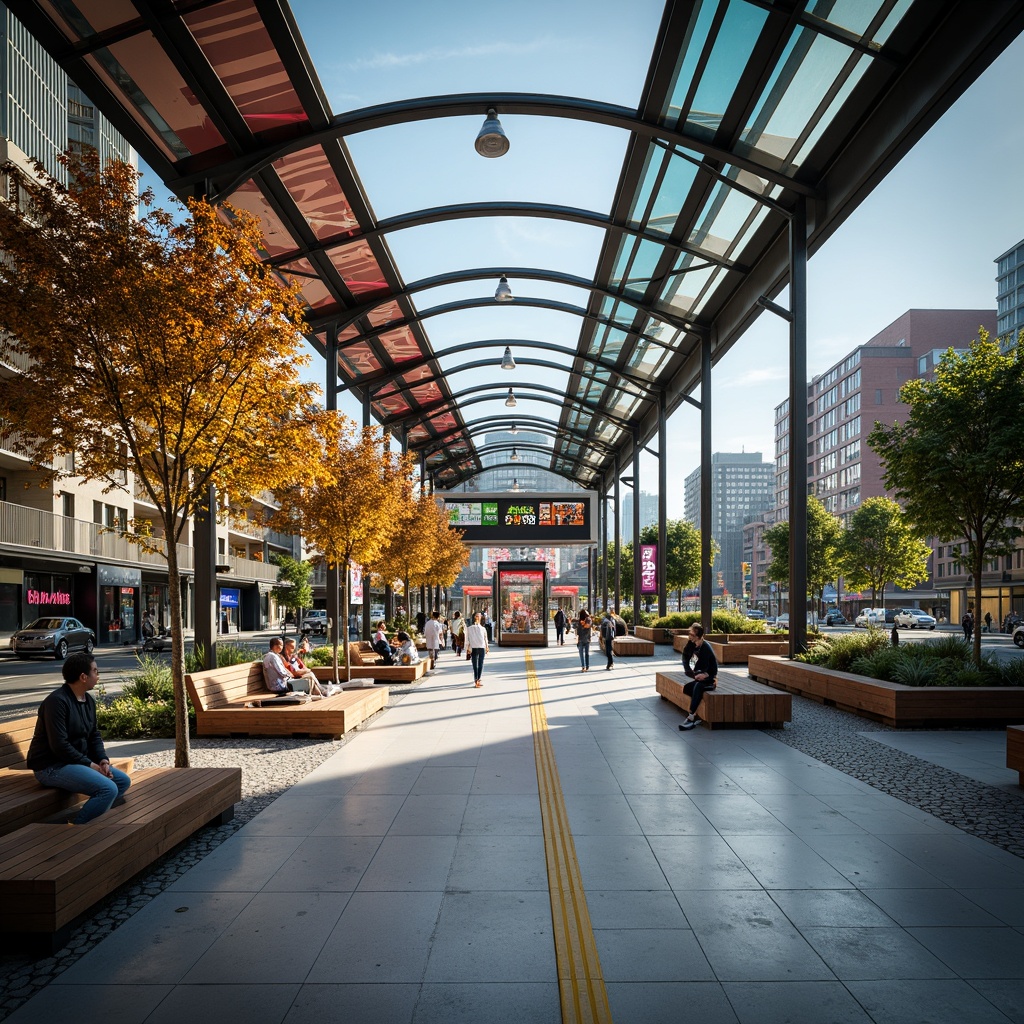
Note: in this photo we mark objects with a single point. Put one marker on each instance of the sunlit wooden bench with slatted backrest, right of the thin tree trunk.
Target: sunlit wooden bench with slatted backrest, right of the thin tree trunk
(222, 699)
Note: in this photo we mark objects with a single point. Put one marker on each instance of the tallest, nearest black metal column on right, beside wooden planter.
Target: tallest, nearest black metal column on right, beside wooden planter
(798, 428)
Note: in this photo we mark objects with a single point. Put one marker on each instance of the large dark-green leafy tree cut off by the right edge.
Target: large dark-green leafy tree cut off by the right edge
(957, 464)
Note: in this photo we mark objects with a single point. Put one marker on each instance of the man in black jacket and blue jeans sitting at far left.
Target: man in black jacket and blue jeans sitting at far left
(67, 750)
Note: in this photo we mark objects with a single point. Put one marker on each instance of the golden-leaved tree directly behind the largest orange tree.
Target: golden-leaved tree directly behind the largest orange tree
(352, 501)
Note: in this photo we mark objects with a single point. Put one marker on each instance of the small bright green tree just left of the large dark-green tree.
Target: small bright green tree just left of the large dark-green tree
(879, 547)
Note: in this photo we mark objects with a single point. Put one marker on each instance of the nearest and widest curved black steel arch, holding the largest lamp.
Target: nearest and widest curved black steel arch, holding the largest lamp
(241, 169)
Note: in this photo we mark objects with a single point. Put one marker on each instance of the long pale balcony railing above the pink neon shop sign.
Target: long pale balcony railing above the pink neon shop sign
(29, 528)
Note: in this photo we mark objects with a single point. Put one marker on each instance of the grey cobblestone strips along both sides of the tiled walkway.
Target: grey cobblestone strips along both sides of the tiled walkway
(269, 767)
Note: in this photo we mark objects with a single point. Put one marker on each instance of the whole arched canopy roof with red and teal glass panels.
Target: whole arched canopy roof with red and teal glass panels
(642, 212)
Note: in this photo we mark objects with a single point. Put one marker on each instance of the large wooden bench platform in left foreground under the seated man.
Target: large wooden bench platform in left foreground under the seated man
(52, 874)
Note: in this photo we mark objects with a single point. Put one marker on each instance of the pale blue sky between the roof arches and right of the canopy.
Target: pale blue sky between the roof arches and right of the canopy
(926, 238)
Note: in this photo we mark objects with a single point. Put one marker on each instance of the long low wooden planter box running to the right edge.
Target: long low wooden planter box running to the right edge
(894, 704)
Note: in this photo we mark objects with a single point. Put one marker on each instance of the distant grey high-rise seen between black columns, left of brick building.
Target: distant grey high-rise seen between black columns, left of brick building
(743, 486)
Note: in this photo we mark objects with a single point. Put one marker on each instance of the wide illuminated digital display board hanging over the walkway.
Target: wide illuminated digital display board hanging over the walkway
(540, 520)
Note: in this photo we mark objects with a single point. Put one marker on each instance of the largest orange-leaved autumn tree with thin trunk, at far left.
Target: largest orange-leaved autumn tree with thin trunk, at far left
(155, 343)
